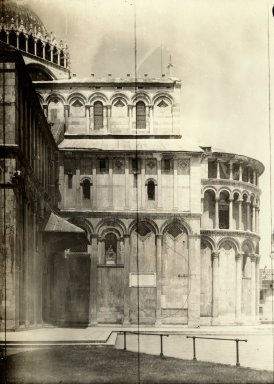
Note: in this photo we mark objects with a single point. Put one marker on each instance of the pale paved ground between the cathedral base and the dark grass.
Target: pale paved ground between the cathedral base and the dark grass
(258, 352)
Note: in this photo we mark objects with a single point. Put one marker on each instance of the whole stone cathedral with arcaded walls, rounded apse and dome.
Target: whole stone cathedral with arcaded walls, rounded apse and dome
(108, 215)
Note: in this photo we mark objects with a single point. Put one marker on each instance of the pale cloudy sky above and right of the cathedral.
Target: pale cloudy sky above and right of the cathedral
(218, 48)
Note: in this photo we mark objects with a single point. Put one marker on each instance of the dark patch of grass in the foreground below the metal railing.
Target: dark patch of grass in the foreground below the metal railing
(83, 364)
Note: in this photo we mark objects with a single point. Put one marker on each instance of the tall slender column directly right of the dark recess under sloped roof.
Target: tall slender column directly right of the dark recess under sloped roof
(93, 250)
